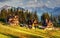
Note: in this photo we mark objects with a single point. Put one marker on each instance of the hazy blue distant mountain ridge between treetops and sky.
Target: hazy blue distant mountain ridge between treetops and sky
(40, 10)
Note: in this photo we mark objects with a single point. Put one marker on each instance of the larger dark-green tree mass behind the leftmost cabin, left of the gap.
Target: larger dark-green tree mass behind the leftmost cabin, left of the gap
(23, 15)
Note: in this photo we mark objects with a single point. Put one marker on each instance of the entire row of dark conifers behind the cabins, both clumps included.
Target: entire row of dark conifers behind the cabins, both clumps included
(25, 15)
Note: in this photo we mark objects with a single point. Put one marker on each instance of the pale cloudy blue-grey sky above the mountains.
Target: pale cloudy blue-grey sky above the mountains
(31, 3)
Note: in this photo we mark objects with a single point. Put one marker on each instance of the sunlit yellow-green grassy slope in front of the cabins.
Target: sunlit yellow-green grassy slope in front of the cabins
(7, 31)
